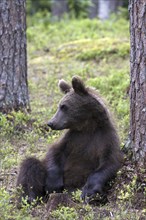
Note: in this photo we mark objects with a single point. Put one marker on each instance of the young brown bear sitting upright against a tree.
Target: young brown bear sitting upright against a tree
(86, 157)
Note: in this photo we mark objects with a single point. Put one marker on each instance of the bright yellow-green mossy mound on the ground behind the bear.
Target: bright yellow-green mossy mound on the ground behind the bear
(87, 49)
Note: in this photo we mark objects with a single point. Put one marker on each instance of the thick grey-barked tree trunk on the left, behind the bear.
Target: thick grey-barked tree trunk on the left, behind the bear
(13, 63)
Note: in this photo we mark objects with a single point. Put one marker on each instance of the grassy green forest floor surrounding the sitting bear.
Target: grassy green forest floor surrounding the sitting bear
(99, 53)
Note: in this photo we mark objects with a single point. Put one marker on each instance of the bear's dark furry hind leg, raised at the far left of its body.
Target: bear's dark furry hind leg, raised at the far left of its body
(32, 178)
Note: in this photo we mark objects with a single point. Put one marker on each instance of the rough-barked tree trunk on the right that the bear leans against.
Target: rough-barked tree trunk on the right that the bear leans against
(137, 10)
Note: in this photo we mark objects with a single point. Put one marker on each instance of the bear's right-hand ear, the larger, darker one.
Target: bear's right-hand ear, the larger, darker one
(79, 86)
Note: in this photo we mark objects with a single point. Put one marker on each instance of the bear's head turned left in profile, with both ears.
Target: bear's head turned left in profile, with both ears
(77, 109)
